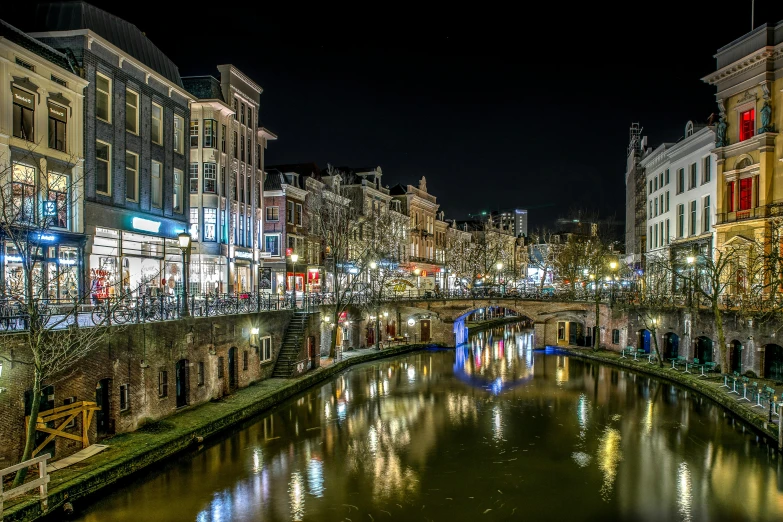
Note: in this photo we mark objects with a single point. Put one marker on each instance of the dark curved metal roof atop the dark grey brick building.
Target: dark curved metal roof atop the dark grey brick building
(72, 16)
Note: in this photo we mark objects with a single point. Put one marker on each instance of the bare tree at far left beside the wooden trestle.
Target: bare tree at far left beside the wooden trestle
(40, 296)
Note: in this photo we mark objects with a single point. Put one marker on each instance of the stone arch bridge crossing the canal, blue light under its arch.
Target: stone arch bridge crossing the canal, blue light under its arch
(444, 319)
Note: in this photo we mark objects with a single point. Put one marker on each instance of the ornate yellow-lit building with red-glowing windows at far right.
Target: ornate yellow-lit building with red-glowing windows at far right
(749, 83)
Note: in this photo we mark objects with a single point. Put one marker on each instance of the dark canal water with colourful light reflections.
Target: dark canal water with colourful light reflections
(491, 431)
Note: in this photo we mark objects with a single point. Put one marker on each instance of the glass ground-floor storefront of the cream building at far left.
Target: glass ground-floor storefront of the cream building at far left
(56, 269)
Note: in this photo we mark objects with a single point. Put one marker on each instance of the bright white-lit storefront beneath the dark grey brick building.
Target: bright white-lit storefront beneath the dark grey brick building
(132, 255)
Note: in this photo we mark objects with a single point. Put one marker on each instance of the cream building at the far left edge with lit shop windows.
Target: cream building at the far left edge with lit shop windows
(41, 168)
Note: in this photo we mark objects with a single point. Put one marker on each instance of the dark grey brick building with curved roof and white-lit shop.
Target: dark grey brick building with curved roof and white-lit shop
(135, 115)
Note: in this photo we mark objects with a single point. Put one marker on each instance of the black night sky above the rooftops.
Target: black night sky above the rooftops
(499, 106)
